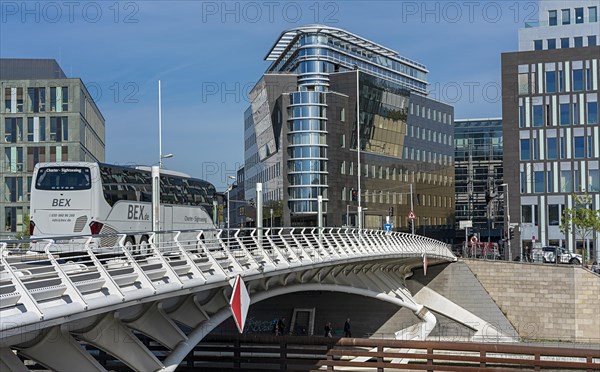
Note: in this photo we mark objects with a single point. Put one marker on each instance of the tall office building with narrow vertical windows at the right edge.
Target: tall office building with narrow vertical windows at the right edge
(550, 118)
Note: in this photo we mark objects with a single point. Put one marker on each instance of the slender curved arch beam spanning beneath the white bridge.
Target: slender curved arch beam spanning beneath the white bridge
(184, 348)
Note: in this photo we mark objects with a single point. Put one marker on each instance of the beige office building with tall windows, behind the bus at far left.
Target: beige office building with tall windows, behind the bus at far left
(45, 117)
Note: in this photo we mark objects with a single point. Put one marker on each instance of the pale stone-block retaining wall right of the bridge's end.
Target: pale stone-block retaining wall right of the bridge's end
(544, 302)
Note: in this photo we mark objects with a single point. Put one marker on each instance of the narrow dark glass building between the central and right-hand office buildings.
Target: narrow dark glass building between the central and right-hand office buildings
(479, 176)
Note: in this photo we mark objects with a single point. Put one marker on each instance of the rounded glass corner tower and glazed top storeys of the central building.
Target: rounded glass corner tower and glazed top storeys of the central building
(313, 53)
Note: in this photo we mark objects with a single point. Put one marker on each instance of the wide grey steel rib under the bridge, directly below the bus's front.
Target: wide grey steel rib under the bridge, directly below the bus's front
(59, 351)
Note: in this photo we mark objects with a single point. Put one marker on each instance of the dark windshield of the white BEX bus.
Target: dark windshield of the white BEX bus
(63, 178)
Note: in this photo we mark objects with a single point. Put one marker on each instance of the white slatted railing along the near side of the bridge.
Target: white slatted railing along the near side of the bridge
(71, 275)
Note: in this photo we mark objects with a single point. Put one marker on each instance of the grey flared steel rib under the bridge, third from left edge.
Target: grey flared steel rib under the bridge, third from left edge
(112, 336)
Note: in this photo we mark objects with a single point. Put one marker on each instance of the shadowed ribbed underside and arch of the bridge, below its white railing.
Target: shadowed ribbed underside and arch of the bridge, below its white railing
(60, 346)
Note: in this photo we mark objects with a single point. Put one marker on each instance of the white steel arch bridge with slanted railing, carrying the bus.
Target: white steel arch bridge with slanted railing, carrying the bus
(174, 288)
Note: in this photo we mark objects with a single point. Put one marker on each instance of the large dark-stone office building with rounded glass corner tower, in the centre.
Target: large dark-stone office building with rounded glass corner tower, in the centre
(301, 139)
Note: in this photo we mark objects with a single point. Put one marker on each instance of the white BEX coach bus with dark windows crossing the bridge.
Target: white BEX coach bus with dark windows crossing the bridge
(77, 198)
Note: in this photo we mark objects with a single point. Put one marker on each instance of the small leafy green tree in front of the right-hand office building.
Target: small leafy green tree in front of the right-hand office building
(582, 218)
